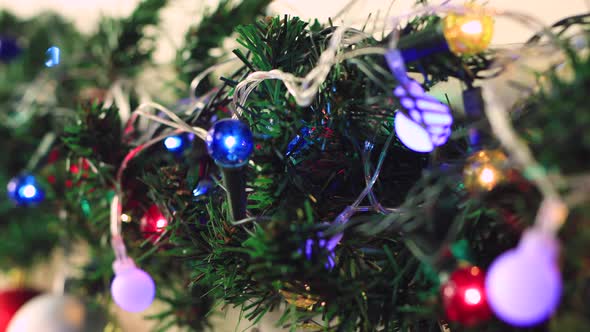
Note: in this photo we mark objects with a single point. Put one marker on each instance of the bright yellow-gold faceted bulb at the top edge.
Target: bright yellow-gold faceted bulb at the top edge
(470, 32)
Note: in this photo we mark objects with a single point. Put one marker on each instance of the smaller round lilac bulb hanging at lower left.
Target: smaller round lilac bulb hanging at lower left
(132, 289)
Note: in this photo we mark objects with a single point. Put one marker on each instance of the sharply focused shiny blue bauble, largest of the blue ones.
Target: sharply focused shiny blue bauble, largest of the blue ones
(230, 143)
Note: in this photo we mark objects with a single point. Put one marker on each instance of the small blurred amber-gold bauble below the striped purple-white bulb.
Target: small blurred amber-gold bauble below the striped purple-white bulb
(484, 170)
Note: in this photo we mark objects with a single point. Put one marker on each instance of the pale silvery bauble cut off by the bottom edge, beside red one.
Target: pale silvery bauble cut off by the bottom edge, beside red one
(57, 313)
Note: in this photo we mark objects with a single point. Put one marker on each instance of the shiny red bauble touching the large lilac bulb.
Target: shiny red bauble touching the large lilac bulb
(464, 296)
